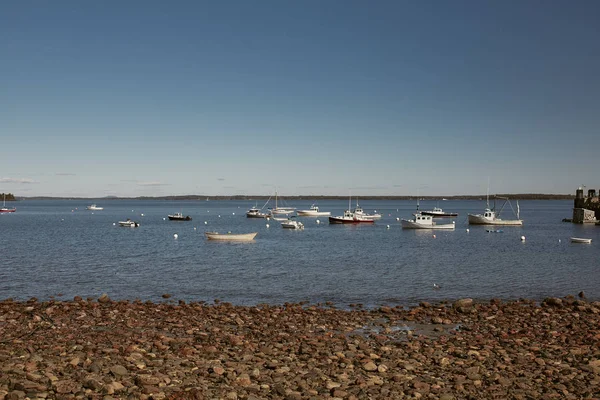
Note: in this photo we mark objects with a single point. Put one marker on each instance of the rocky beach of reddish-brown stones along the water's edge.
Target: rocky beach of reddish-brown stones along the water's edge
(105, 349)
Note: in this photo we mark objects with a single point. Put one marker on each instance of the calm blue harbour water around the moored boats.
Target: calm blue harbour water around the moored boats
(58, 247)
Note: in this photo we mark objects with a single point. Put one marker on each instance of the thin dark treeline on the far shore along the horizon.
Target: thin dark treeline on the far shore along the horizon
(522, 196)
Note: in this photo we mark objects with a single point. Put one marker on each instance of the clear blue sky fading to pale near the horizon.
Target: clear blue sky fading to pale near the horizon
(132, 98)
